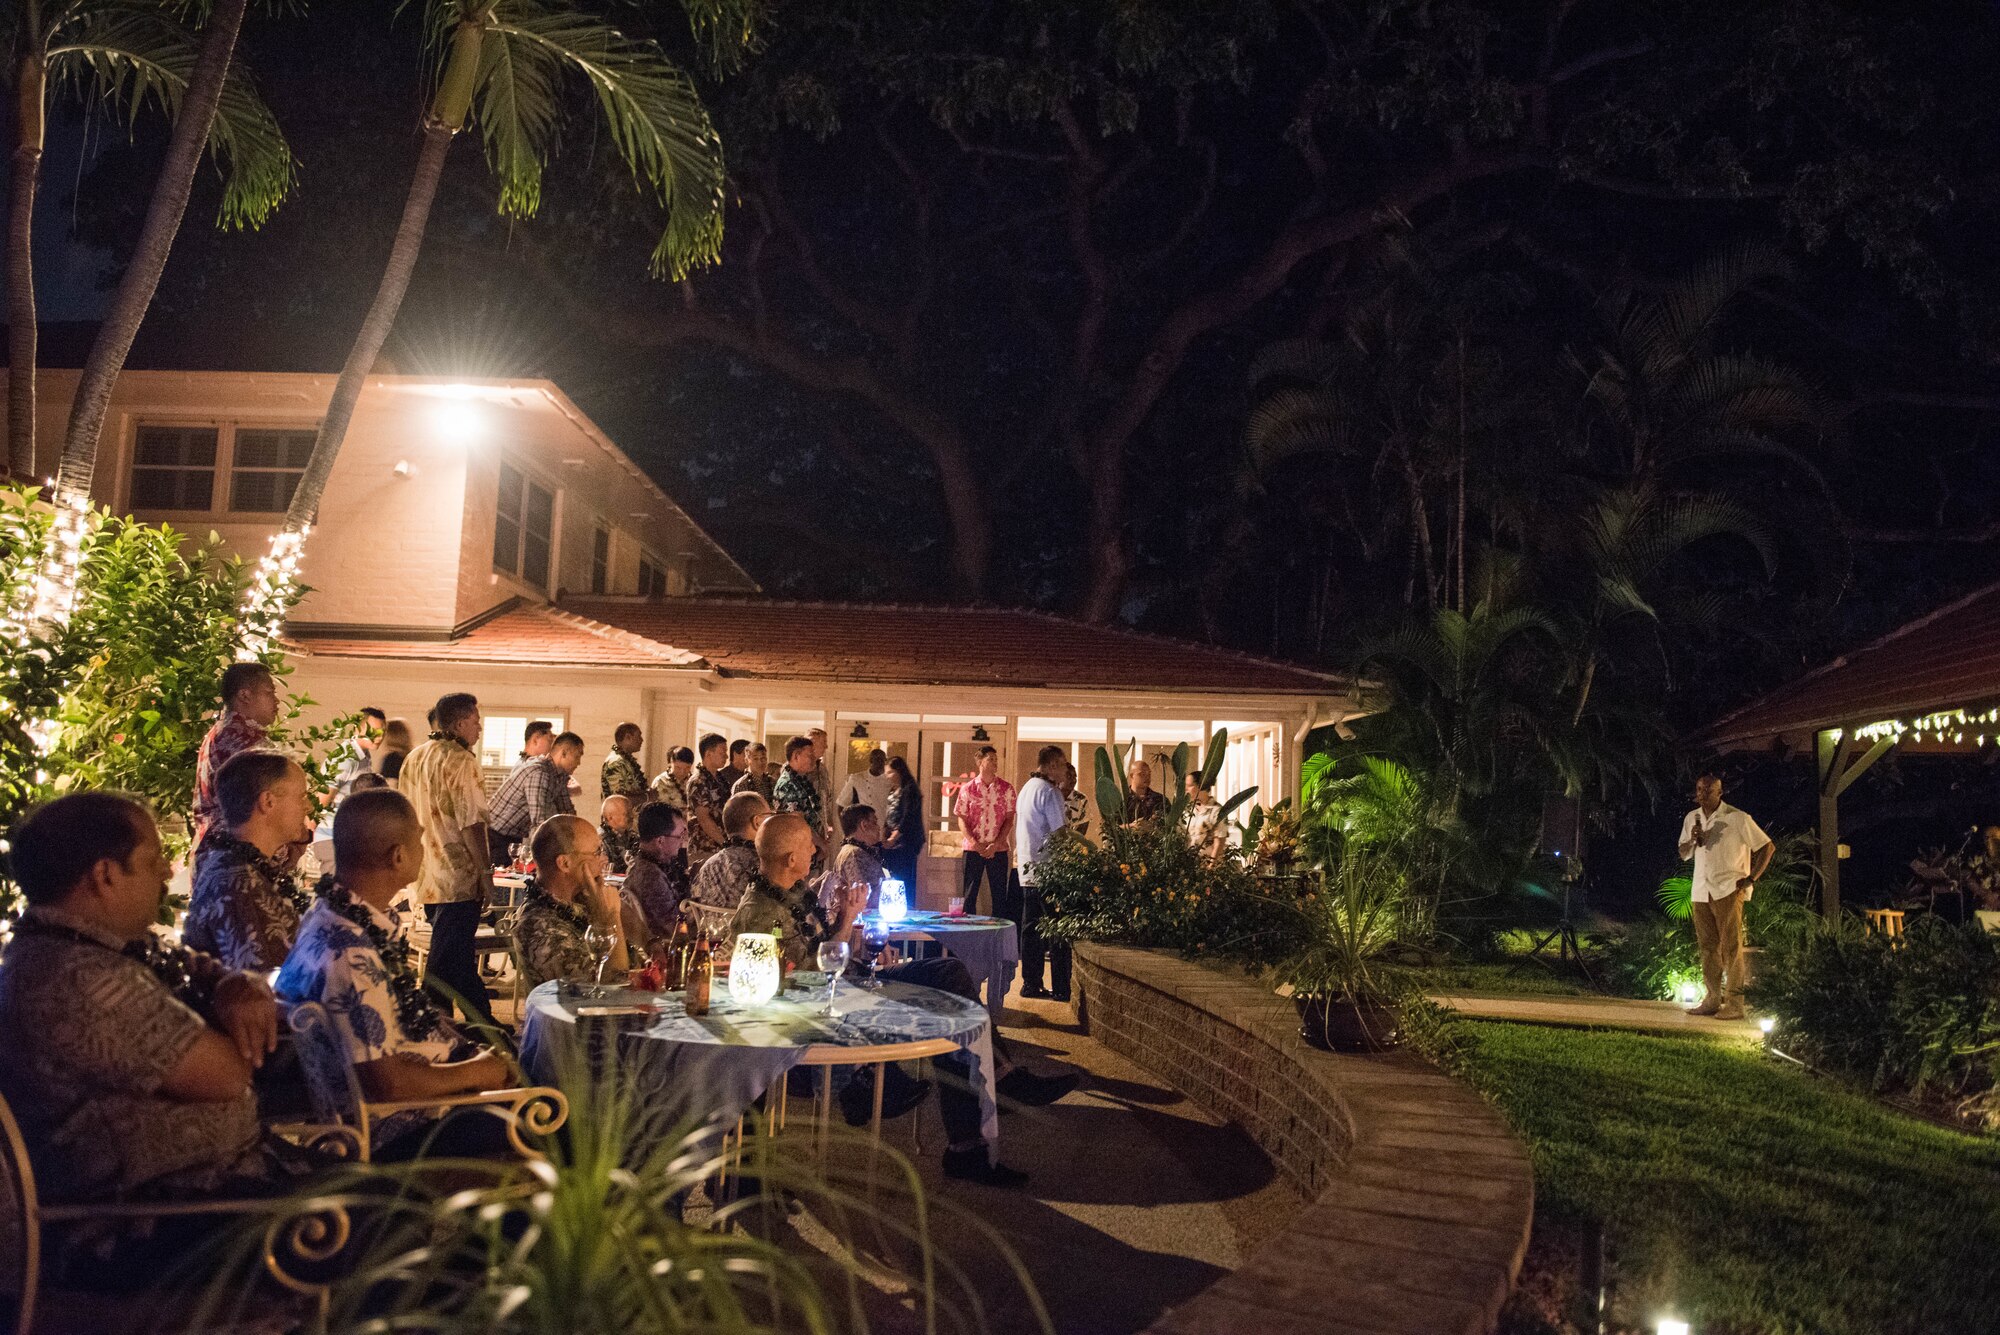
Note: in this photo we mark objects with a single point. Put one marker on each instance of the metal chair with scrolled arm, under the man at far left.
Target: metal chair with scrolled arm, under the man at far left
(301, 1234)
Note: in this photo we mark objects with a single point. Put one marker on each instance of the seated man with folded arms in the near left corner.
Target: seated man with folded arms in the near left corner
(125, 1060)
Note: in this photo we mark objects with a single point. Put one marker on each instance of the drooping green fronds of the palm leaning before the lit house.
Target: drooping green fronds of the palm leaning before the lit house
(651, 109)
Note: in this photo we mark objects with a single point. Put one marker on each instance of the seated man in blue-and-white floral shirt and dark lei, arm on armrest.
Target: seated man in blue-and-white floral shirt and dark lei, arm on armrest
(355, 960)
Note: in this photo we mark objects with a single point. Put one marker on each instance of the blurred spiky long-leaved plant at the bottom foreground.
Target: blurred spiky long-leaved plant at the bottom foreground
(607, 1236)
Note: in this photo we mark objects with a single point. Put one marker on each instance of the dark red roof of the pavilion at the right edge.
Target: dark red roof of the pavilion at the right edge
(1945, 661)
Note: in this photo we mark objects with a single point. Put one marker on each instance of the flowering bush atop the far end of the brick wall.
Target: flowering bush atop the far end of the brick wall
(1145, 886)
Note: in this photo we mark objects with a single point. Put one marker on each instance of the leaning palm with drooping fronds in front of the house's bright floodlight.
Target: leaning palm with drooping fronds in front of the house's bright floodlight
(505, 63)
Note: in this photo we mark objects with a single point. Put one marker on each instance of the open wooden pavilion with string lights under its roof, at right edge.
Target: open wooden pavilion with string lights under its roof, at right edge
(1929, 688)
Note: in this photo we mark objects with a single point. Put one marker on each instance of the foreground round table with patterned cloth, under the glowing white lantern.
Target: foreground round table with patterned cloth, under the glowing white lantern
(711, 1068)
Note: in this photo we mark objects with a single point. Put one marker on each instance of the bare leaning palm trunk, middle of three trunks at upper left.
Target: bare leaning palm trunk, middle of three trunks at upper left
(155, 243)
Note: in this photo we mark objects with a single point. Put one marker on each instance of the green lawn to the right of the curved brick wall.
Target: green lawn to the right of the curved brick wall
(1747, 1192)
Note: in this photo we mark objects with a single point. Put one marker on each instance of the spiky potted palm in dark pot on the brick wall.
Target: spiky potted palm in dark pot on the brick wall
(1343, 978)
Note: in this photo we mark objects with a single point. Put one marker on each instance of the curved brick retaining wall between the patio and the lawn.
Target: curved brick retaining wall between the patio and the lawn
(1419, 1196)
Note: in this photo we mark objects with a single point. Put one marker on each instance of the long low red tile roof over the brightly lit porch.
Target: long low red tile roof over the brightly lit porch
(945, 647)
